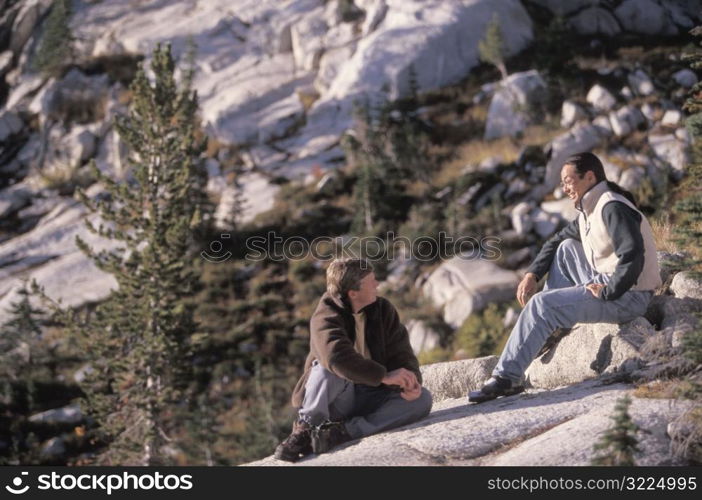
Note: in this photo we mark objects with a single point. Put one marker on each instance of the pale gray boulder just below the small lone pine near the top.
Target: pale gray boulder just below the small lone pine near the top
(515, 104)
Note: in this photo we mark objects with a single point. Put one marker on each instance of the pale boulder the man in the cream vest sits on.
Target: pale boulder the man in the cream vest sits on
(590, 350)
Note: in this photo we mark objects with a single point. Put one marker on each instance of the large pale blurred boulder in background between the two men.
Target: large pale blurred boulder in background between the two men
(464, 284)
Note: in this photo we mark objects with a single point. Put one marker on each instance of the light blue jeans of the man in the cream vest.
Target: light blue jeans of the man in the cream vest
(564, 302)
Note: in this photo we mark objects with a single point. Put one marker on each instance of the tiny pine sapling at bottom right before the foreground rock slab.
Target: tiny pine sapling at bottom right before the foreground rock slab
(618, 444)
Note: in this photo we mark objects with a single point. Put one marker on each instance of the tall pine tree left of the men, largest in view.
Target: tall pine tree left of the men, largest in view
(138, 340)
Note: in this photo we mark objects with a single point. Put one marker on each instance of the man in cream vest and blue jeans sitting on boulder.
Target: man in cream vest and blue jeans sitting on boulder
(602, 268)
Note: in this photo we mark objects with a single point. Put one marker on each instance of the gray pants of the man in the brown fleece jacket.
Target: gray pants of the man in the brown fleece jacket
(365, 409)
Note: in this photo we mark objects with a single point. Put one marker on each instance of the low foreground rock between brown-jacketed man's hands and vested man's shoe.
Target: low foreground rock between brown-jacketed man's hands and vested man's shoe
(454, 379)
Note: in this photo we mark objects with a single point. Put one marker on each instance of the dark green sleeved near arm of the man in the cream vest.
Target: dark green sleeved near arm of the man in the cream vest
(624, 228)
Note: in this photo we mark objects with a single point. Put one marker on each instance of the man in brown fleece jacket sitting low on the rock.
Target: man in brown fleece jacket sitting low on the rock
(361, 375)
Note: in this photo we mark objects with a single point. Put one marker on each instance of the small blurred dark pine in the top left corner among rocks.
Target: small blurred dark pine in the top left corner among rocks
(54, 50)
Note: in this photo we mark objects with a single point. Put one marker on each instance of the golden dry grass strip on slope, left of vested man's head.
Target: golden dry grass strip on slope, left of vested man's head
(506, 148)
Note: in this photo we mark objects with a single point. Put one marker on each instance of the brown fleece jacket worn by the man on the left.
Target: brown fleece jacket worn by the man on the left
(332, 336)
